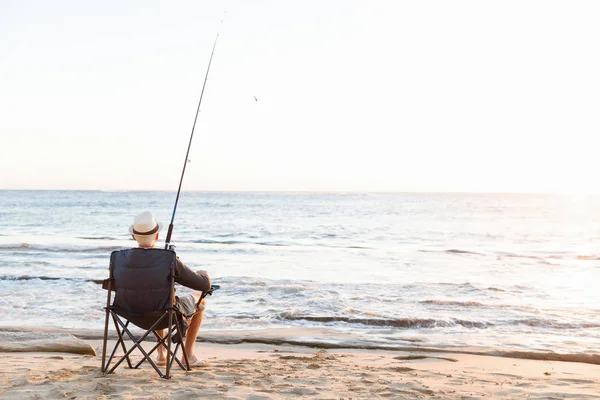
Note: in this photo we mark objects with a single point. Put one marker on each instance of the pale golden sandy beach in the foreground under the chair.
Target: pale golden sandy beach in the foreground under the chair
(261, 371)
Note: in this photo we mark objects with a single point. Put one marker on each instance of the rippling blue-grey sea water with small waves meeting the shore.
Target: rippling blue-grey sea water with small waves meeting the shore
(490, 271)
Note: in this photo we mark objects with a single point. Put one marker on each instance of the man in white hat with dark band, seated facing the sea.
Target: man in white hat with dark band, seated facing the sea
(145, 231)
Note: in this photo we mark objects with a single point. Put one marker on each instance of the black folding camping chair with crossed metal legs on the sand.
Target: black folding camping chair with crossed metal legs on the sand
(152, 312)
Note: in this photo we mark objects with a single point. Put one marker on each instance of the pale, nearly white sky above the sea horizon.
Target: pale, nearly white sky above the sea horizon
(500, 96)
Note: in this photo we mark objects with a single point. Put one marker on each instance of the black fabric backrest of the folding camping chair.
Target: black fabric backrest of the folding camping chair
(143, 280)
